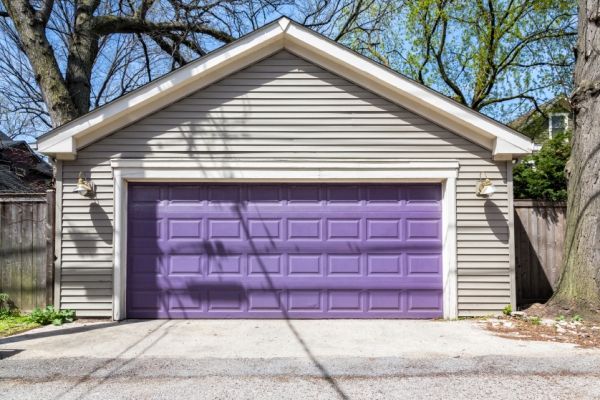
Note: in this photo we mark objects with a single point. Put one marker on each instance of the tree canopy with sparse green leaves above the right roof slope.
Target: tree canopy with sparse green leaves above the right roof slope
(501, 57)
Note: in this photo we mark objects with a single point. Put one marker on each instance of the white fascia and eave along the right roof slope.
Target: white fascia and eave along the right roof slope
(405, 92)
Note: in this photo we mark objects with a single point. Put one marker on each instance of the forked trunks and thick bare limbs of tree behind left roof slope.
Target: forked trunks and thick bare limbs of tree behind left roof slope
(68, 96)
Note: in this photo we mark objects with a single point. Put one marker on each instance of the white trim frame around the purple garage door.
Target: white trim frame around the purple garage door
(268, 171)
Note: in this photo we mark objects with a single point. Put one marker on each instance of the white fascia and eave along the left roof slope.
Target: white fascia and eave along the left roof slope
(163, 91)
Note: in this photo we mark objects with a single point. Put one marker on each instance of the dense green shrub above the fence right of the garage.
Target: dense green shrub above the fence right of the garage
(541, 176)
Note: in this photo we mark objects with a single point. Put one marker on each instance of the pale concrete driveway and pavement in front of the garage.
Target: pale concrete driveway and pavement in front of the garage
(302, 359)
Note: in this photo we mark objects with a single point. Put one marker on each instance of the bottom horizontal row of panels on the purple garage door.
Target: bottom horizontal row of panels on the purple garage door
(230, 302)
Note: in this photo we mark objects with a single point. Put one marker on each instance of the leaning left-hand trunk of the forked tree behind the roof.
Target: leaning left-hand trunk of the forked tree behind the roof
(32, 34)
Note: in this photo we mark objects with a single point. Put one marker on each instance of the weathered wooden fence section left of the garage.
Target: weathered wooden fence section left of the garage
(27, 248)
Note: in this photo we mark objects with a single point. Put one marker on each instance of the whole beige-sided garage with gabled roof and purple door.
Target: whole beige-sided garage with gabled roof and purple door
(284, 176)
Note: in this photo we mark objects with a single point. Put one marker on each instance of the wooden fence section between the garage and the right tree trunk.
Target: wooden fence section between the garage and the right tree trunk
(539, 236)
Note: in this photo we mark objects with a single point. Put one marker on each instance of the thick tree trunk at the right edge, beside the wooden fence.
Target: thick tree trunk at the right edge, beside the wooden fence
(579, 286)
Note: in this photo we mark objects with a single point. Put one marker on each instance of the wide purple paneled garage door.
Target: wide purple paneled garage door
(284, 251)
